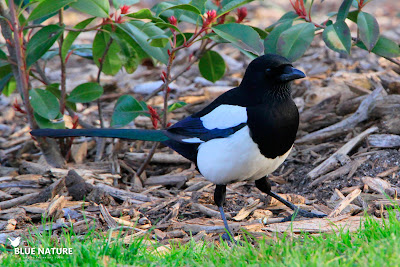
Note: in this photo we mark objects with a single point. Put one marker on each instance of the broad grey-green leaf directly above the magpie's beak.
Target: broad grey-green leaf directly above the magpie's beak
(293, 42)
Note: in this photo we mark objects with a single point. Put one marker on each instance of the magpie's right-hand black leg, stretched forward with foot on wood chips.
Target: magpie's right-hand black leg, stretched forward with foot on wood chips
(264, 186)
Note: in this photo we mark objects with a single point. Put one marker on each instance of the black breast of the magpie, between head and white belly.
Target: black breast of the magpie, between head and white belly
(273, 126)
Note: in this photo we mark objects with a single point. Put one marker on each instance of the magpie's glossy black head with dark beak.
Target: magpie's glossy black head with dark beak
(272, 73)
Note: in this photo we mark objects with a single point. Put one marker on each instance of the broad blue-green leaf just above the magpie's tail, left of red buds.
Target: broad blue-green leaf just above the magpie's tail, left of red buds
(126, 110)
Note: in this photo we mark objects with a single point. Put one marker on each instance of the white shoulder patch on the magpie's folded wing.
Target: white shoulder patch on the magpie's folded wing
(224, 116)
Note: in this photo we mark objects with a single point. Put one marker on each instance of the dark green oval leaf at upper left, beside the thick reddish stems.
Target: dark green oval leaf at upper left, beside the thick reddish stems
(41, 42)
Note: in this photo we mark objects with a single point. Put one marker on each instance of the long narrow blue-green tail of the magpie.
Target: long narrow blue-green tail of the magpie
(134, 134)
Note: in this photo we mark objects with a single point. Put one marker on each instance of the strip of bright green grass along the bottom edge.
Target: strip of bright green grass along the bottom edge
(376, 244)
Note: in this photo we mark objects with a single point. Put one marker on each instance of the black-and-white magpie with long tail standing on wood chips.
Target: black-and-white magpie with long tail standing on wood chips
(243, 135)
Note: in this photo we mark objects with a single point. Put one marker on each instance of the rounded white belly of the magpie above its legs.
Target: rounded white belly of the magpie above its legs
(235, 158)
